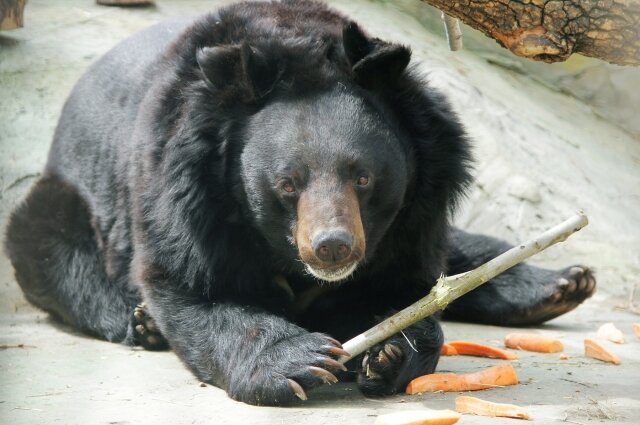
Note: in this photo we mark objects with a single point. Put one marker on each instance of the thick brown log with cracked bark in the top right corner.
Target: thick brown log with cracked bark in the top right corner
(551, 30)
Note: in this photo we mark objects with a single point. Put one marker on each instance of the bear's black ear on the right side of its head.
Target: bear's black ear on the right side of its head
(372, 60)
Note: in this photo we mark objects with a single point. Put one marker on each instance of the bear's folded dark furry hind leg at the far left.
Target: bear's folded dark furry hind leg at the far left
(52, 246)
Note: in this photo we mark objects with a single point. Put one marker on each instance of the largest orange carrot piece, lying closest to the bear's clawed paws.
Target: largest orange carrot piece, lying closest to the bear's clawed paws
(496, 376)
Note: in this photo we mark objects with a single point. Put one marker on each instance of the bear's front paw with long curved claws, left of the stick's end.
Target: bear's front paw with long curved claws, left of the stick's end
(285, 371)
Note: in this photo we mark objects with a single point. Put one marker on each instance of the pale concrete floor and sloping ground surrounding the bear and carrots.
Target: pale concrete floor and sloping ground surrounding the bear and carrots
(541, 155)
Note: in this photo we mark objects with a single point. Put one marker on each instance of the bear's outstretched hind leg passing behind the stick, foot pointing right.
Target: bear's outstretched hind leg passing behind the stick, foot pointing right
(523, 295)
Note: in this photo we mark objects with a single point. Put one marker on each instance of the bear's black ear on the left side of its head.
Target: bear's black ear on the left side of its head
(242, 67)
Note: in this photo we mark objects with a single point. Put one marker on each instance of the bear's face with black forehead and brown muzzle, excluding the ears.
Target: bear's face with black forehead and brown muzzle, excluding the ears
(326, 175)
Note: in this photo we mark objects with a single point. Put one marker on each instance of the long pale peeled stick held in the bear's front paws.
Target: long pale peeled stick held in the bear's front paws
(449, 288)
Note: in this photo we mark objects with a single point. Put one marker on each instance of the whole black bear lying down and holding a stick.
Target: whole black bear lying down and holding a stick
(254, 186)
